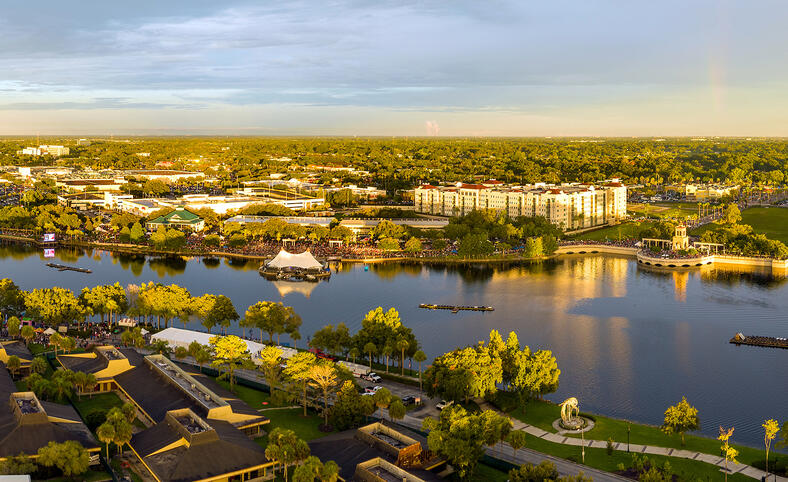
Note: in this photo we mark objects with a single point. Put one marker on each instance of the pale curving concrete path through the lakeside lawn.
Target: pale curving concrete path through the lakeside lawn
(747, 470)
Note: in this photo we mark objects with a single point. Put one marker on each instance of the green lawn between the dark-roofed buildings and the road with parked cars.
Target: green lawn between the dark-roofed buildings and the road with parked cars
(289, 418)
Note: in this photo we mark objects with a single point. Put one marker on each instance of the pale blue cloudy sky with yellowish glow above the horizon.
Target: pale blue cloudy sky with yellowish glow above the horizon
(395, 68)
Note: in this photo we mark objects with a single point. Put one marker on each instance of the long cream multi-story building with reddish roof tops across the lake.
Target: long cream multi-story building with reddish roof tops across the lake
(569, 206)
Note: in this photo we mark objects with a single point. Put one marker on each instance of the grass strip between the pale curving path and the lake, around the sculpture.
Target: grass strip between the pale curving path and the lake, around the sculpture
(542, 415)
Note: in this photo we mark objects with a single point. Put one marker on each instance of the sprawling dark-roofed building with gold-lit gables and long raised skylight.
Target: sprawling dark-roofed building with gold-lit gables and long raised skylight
(198, 430)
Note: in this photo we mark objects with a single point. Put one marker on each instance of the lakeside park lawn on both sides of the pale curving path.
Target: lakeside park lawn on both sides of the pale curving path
(541, 414)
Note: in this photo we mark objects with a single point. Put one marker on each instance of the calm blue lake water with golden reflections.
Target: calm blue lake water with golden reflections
(629, 340)
